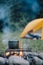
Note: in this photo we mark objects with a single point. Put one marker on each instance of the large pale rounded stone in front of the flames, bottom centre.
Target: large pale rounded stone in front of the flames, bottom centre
(17, 60)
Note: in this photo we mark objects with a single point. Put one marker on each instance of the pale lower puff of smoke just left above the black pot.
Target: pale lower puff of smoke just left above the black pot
(6, 36)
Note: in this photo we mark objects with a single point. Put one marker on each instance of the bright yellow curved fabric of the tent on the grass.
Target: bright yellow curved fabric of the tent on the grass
(33, 26)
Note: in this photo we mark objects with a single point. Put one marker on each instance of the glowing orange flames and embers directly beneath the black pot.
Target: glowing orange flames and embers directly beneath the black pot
(15, 52)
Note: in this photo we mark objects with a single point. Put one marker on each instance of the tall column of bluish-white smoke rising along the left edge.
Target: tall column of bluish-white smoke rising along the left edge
(4, 26)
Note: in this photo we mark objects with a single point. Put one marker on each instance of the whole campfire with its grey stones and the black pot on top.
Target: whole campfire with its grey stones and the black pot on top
(15, 55)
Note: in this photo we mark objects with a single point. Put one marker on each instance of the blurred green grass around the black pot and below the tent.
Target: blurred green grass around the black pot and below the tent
(36, 45)
